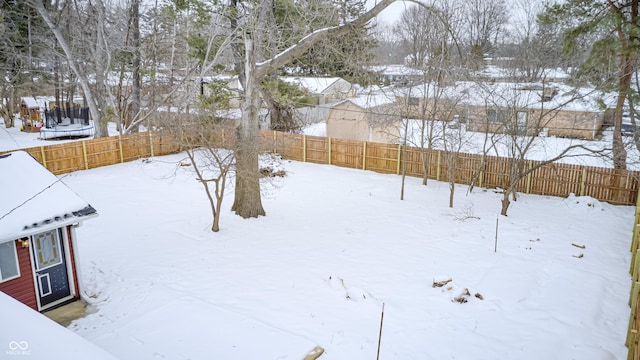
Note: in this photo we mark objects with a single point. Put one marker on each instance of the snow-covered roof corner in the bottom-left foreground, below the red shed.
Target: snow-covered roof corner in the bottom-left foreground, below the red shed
(27, 334)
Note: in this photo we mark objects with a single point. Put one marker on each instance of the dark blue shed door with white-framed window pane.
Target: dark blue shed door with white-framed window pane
(52, 277)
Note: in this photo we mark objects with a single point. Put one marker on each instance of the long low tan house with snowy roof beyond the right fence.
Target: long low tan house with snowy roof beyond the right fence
(515, 108)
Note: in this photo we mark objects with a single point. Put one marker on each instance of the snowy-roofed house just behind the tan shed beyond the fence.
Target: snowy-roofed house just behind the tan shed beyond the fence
(324, 90)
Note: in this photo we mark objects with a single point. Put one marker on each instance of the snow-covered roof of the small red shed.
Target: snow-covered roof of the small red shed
(35, 200)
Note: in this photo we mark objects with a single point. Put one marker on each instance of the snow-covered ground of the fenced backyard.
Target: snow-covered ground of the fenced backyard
(335, 246)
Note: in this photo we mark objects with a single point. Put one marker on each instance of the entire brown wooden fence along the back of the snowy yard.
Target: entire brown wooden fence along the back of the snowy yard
(610, 185)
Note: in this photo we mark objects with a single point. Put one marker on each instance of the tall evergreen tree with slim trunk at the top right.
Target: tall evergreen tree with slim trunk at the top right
(607, 28)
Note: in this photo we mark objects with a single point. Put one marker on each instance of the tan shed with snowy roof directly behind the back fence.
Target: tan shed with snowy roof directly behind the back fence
(365, 118)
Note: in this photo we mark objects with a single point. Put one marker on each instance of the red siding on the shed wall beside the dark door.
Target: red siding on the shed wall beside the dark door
(22, 288)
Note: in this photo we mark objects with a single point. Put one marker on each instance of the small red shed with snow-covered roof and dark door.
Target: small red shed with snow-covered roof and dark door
(38, 216)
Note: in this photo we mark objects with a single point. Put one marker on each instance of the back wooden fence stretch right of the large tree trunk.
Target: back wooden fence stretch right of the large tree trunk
(618, 187)
